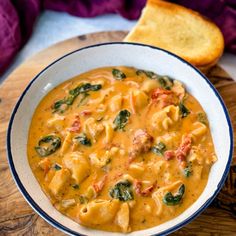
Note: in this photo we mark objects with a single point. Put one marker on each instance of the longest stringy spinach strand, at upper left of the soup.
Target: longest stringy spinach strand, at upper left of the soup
(73, 94)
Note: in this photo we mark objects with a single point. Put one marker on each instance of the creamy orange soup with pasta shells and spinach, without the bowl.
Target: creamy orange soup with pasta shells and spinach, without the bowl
(120, 149)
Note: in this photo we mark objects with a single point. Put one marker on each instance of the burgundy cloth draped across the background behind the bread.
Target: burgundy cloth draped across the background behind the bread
(17, 18)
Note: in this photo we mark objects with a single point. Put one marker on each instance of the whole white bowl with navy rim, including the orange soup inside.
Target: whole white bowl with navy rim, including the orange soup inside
(119, 138)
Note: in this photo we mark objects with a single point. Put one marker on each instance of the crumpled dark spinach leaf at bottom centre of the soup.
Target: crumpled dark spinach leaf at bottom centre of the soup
(122, 191)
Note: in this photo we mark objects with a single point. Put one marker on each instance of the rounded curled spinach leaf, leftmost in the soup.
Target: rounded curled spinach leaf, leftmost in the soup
(48, 145)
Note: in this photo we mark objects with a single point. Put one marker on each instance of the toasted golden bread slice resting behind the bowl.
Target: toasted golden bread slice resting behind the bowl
(179, 30)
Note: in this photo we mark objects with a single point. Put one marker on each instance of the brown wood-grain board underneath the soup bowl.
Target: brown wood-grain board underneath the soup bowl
(17, 217)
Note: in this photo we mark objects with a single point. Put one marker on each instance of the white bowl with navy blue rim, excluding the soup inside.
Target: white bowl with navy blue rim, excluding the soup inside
(115, 54)
